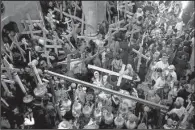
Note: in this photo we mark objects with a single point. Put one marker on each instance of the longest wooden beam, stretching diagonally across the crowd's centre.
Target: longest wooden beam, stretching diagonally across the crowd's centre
(152, 104)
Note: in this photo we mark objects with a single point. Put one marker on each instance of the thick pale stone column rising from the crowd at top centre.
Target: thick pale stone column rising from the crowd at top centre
(94, 12)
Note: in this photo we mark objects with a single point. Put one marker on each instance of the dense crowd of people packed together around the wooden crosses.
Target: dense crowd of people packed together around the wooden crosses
(165, 76)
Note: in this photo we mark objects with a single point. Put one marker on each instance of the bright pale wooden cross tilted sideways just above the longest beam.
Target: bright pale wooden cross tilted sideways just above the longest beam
(120, 75)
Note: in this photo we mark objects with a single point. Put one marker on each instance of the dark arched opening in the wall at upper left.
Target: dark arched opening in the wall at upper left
(10, 28)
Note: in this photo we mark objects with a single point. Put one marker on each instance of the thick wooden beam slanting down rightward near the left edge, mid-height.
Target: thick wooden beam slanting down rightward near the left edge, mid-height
(14, 74)
